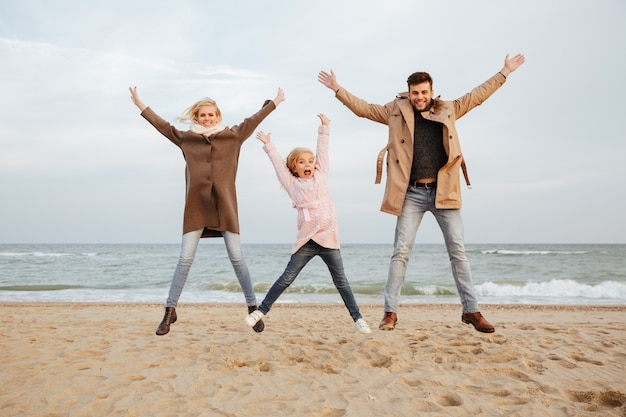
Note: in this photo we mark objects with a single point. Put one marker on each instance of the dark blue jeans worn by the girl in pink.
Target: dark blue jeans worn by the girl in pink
(332, 259)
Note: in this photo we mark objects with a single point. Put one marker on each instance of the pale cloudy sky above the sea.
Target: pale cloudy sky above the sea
(78, 164)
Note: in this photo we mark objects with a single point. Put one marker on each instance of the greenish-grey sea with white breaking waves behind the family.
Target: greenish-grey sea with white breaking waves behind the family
(540, 274)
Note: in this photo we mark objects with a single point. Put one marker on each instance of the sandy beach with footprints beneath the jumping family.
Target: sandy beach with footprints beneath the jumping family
(105, 360)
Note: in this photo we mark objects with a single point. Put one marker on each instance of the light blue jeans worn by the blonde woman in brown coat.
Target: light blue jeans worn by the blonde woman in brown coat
(188, 249)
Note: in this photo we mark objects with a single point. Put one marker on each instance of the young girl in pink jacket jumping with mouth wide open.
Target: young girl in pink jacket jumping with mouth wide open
(305, 178)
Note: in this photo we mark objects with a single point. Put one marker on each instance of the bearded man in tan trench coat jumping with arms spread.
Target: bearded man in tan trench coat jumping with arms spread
(424, 161)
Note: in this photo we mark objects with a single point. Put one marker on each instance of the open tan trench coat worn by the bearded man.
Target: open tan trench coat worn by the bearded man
(398, 115)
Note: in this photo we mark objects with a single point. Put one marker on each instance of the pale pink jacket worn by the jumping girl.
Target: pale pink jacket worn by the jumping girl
(317, 219)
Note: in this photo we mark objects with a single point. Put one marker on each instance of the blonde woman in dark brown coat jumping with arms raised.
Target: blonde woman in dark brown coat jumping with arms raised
(211, 151)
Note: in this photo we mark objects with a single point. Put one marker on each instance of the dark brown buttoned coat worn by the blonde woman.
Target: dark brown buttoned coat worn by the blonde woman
(211, 169)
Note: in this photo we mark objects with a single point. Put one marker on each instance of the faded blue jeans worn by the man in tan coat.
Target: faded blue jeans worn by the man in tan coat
(417, 202)
